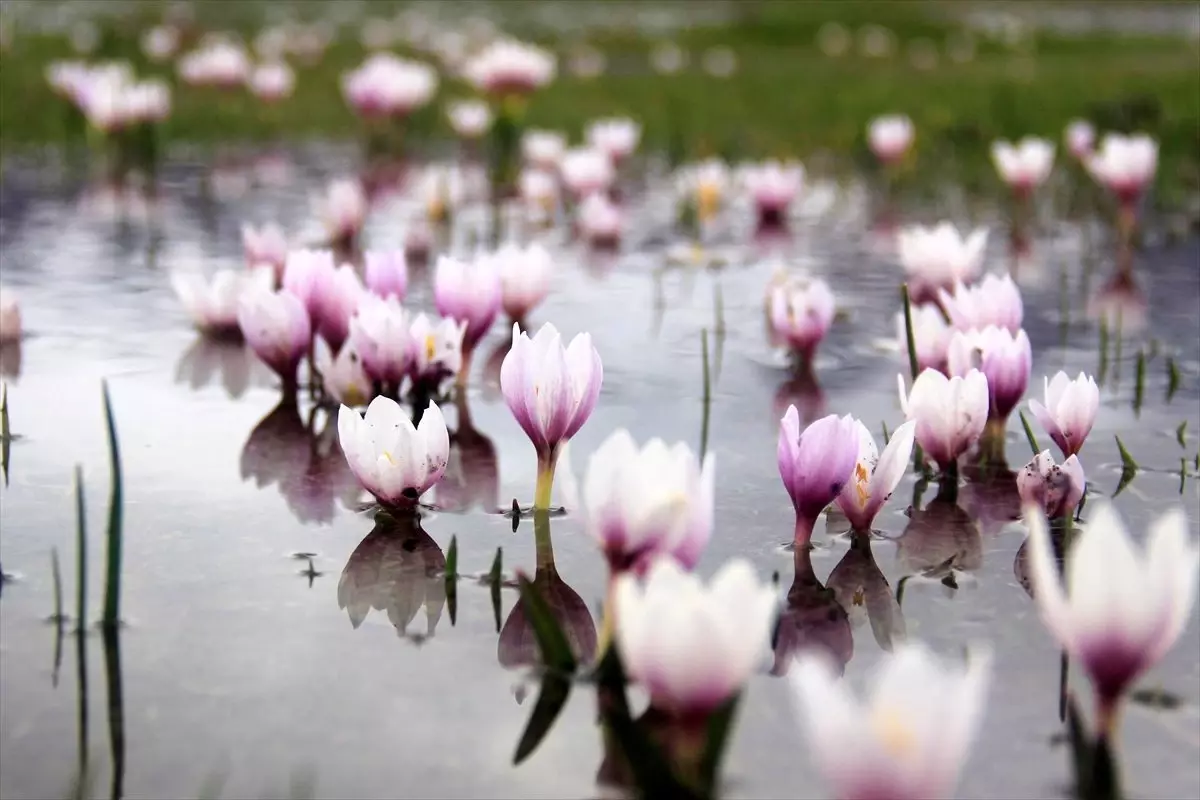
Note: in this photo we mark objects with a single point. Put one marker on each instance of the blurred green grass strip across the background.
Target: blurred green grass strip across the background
(787, 99)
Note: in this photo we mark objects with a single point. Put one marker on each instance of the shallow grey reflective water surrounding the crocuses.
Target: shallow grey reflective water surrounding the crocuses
(251, 672)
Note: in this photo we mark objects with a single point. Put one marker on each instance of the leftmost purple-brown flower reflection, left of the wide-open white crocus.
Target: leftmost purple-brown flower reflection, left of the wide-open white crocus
(308, 466)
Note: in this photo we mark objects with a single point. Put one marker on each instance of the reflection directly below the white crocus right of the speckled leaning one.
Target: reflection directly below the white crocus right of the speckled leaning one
(940, 540)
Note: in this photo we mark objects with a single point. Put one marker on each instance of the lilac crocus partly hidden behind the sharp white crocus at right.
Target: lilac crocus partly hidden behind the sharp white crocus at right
(1003, 358)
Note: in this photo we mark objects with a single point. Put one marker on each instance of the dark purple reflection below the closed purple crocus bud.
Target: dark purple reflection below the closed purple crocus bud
(814, 619)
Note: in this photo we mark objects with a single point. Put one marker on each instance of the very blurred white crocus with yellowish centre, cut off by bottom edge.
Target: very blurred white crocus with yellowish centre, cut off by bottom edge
(909, 742)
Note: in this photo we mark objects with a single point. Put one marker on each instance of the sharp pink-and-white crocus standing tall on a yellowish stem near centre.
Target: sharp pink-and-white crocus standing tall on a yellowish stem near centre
(551, 392)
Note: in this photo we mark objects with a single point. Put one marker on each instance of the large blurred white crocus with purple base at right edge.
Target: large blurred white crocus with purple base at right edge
(1123, 610)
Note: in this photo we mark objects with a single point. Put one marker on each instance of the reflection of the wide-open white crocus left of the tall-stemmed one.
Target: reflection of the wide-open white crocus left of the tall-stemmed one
(398, 570)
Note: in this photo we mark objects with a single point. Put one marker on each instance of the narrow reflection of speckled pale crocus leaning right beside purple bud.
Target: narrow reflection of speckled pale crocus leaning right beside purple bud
(862, 591)
